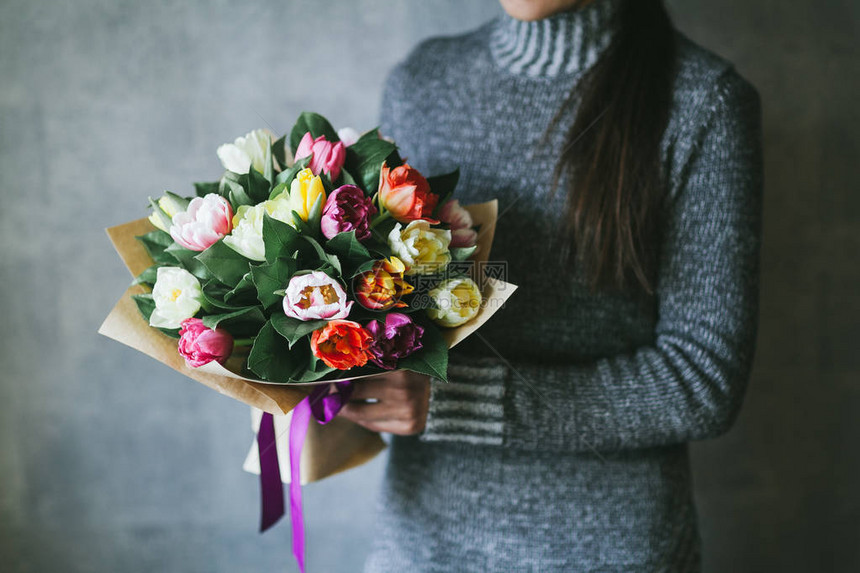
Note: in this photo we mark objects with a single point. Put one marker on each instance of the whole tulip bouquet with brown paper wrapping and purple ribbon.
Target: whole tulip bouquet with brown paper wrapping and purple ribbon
(316, 259)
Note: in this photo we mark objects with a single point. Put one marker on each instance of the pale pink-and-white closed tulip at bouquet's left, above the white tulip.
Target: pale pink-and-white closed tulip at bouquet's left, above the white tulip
(206, 220)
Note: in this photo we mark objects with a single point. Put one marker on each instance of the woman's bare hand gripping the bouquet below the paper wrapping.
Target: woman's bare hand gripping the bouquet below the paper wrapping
(402, 399)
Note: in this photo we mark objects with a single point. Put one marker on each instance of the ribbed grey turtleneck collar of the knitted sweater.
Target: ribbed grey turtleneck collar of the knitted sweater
(562, 44)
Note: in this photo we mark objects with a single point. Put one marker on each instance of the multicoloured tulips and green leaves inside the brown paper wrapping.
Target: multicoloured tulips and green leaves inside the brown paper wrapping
(340, 260)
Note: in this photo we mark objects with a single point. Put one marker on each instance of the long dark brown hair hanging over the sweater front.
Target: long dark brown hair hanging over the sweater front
(611, 154)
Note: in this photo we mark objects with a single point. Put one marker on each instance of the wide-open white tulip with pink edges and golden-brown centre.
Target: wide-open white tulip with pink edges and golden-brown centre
(315, 296)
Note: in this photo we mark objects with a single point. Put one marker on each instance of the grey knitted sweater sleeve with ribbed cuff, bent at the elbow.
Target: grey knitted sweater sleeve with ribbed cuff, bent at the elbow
(688, 383)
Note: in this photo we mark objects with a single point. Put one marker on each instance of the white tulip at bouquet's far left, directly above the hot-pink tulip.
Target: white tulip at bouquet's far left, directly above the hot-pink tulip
(177, 296)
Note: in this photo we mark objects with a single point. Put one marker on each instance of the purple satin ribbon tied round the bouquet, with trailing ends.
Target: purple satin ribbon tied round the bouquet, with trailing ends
(323, 404)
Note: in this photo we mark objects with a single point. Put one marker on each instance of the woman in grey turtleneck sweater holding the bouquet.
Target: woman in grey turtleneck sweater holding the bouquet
(627, 165)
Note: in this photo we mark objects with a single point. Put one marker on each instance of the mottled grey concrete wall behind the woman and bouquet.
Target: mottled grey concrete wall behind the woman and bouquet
(111, 462)
